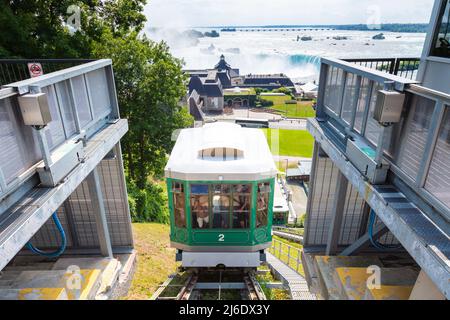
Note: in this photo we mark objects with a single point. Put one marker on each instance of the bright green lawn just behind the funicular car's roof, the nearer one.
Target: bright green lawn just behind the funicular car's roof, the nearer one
(295, 143)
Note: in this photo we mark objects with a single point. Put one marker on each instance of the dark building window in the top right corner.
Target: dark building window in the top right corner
(441, 46)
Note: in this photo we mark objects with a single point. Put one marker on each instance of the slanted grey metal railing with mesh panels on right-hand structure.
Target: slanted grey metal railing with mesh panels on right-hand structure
(417, 148)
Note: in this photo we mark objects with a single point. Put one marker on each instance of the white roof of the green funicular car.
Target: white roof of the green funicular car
(246, 157)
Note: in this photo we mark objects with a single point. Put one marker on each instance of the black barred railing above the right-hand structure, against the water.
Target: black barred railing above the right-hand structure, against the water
(403, 67)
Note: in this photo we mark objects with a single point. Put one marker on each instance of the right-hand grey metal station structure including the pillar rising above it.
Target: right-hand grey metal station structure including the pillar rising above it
(382, 152)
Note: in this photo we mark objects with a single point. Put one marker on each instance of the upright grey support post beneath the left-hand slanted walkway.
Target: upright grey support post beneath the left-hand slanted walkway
(96, 195)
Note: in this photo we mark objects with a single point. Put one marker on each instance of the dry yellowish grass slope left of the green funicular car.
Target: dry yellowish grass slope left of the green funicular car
(155, 262)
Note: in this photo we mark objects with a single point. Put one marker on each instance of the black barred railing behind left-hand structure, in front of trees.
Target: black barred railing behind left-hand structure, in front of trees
(13, 70)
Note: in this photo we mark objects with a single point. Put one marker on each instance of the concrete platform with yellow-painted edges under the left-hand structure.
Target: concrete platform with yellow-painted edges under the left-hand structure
(81, 278)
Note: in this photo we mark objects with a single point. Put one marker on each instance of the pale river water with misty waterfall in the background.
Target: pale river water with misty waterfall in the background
(281, 51)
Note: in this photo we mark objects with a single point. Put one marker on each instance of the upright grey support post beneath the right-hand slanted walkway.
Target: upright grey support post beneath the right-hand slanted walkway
(337, 214)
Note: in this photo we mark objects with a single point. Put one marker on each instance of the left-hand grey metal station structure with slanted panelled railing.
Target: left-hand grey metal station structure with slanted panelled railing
(60, 154)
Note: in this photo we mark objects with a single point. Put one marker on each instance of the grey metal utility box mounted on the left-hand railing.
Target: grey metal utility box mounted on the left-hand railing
(35, 109)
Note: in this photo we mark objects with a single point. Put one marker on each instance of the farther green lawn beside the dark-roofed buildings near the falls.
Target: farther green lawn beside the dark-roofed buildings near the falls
(303, 109)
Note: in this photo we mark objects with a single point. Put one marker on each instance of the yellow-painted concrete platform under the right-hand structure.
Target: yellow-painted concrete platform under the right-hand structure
(352, 283)
